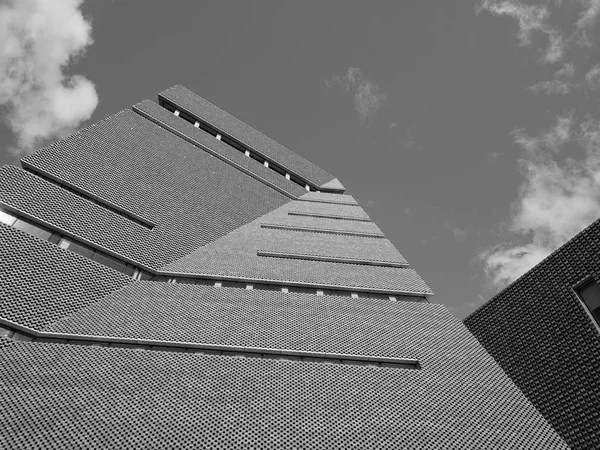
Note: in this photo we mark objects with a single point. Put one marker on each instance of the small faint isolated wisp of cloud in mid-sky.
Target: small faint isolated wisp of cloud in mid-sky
(368, 98)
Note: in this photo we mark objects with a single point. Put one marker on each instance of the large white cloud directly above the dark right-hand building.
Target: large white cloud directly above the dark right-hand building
(559, 197)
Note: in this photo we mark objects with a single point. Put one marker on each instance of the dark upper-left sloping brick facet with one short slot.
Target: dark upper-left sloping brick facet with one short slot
(191, 196)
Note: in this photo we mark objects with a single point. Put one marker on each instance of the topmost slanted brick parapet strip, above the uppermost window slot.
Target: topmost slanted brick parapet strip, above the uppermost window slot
(247, 135)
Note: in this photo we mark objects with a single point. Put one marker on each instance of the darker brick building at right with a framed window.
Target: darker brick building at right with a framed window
(543, 330)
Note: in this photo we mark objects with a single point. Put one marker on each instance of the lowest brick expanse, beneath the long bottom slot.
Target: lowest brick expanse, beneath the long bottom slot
(121, 398)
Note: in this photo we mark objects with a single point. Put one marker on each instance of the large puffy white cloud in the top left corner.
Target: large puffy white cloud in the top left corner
(38, 40)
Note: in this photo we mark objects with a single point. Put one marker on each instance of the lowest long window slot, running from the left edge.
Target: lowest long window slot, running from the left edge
(23, 334)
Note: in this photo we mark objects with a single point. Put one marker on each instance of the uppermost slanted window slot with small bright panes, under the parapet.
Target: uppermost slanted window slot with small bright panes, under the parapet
(232, 142)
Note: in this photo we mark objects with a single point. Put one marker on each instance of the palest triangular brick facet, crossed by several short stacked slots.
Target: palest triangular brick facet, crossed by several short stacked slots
(235, 255)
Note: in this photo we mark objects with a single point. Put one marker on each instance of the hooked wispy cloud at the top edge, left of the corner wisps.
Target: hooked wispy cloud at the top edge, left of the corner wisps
(530, 19)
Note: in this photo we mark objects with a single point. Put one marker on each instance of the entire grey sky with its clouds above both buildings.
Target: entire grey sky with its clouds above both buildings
(468, 130)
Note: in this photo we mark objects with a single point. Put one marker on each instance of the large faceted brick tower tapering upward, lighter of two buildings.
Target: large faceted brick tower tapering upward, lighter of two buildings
(172, 278)
